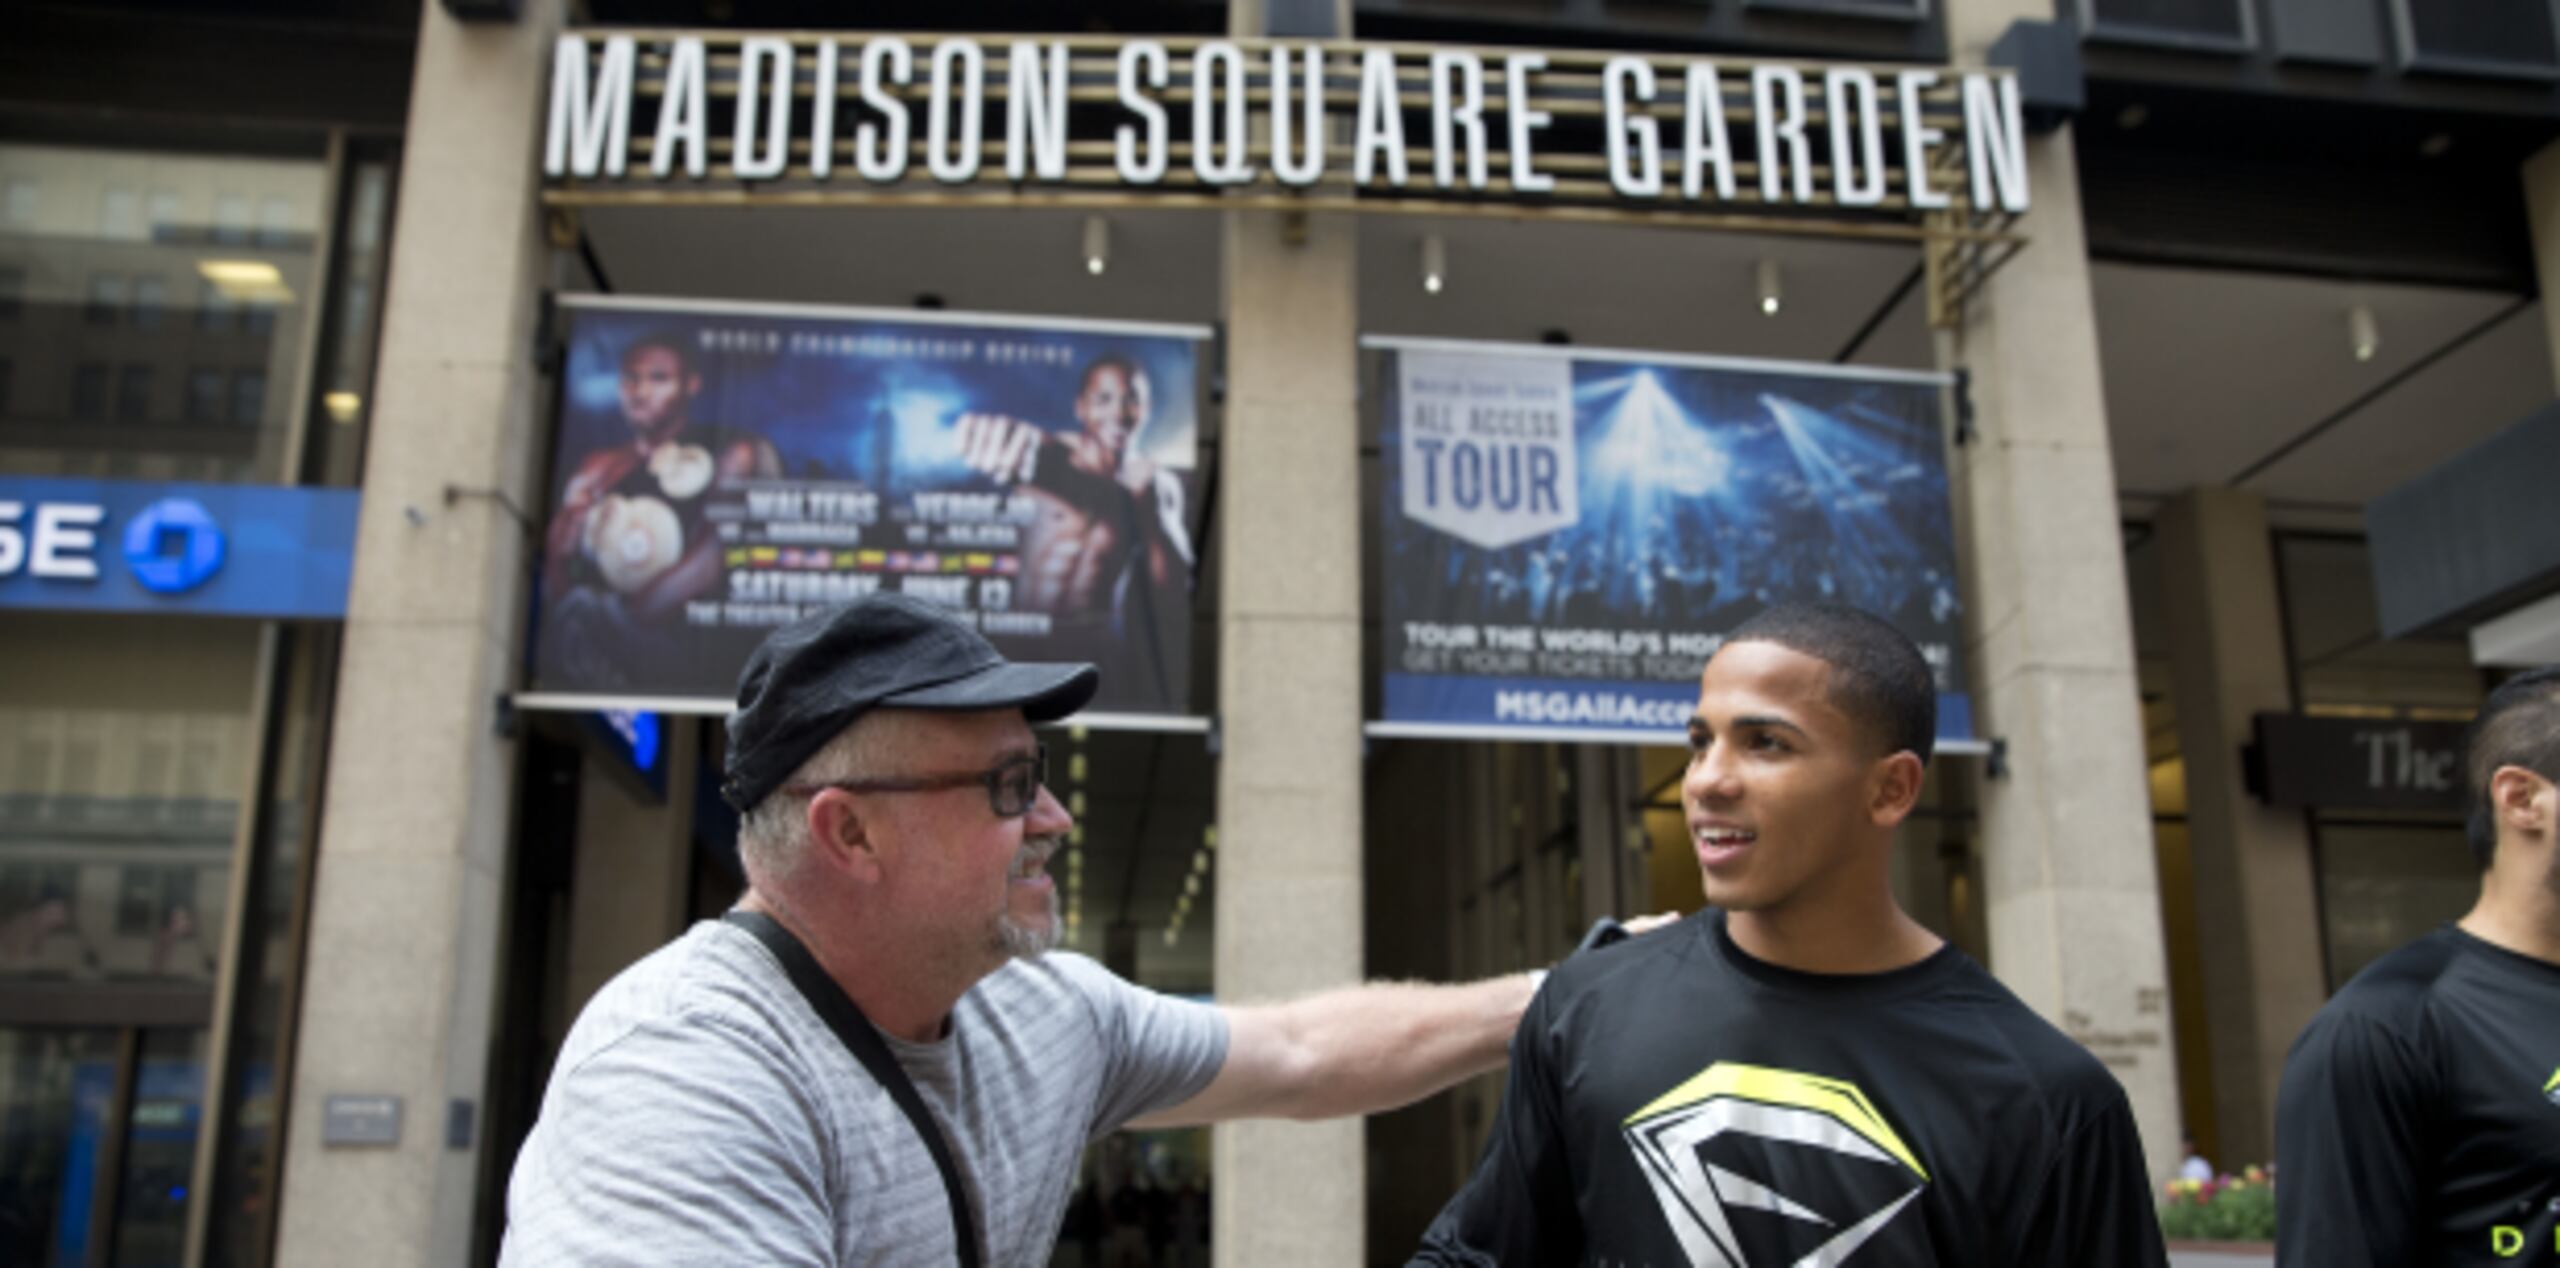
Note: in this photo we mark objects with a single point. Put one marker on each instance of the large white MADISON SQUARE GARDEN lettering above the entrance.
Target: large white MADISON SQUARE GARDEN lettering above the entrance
(1266, 114)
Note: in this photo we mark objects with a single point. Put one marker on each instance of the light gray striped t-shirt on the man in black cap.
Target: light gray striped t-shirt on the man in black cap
(703, 1113)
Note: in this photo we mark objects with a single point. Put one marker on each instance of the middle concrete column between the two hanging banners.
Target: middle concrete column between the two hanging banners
(1289, 706)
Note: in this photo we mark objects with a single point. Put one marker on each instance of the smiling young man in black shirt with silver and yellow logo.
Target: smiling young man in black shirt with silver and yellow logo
(1801, 1075)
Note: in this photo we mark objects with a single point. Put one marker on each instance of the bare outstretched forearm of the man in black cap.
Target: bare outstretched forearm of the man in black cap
(1353, 1052)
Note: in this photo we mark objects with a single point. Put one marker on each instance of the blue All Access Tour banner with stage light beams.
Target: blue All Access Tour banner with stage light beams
(1571, 534)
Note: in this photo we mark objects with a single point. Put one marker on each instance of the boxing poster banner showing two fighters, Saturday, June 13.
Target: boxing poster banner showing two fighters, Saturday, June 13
(728, 467)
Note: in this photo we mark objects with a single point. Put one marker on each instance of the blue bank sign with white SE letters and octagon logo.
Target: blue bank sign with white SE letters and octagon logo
(204, 549)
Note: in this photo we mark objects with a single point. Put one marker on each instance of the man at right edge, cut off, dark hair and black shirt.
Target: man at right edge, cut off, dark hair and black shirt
(2420, 1113)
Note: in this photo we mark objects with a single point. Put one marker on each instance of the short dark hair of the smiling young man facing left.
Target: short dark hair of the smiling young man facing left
(1878, 678)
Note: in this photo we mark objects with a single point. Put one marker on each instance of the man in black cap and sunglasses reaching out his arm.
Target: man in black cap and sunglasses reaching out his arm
(872, 1059)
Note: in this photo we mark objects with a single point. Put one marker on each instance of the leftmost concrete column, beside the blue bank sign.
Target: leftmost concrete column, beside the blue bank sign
(406, 918)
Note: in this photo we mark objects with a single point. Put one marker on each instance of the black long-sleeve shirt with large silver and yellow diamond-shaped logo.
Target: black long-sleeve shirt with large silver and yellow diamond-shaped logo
(1678, 1103)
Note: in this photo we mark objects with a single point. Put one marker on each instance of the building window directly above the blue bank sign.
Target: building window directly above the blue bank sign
(124, 242)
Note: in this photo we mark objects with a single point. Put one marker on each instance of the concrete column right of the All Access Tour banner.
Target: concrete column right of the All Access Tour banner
(2070, 882)
